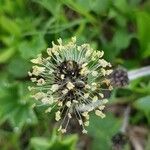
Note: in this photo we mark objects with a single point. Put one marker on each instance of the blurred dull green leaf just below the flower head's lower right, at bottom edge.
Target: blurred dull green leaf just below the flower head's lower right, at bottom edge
(102, 131)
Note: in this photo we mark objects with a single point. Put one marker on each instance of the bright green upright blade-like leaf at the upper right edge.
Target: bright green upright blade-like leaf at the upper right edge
(143, 24)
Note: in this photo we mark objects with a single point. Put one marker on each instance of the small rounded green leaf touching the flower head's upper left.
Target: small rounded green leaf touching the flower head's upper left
(30, 49)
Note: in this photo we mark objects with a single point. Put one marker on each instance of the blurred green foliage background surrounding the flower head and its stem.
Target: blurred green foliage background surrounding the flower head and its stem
(119, 27)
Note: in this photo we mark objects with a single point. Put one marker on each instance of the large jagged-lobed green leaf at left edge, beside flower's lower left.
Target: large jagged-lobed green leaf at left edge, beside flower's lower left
(16, 107)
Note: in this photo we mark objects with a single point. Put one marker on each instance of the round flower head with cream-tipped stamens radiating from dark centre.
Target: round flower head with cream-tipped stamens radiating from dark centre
(71, 77)
